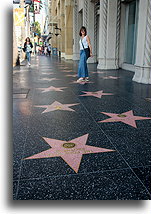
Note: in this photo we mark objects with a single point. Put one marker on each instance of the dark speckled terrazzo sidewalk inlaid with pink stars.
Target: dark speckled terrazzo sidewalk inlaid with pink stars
(88, 141)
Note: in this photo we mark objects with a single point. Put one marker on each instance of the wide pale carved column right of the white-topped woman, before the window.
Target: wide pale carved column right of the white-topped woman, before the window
(109, 34)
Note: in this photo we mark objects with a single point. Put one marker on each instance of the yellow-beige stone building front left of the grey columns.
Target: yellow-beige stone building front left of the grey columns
(62, 16)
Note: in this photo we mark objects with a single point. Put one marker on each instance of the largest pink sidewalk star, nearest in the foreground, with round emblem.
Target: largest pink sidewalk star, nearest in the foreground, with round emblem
(70, 151)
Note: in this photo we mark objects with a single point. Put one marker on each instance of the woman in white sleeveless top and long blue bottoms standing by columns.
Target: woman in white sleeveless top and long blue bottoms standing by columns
(84, 44)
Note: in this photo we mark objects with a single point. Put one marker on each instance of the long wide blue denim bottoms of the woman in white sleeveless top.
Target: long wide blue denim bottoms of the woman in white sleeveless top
(82, 69)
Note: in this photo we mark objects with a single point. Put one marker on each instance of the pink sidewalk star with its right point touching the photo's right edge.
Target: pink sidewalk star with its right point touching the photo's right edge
(126, 117)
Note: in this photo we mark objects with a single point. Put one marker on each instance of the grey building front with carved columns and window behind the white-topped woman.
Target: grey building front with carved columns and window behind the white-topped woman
(120, 33)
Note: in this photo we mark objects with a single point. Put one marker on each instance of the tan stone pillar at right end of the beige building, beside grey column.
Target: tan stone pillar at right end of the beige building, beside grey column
(68, 29)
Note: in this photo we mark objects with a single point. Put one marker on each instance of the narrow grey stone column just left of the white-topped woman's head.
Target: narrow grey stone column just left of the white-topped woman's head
(75, 32)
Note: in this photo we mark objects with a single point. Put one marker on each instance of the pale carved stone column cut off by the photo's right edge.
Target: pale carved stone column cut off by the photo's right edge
(143, 55)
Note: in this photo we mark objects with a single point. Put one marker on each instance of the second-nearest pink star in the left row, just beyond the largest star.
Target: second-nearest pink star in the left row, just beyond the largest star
(56, 106)
